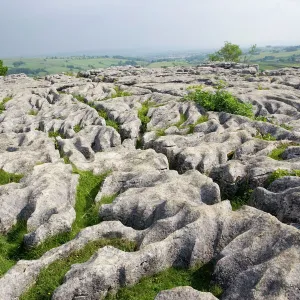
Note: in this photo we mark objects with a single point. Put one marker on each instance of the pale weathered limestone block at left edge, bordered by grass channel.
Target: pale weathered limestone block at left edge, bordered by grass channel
(45, 199)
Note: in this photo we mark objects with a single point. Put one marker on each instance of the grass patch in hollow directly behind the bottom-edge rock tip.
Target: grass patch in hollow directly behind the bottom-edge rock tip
(149, 287)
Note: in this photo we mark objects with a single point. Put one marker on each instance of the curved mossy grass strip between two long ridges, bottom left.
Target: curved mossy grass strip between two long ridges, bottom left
(52, 276)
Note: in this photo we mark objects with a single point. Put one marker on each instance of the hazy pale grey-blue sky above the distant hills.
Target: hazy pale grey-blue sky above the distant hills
(33, 27)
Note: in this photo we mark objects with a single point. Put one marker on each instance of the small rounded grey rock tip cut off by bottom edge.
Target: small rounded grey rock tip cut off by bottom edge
(186, 292)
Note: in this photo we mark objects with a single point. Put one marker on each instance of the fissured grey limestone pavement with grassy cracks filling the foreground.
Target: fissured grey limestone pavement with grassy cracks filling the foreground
(119, 184)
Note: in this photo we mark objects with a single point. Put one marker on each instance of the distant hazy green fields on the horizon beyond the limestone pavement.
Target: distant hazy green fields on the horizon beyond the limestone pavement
(268, 58)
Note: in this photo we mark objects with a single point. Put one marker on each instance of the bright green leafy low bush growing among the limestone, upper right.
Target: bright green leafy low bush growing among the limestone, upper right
(220, 100)
